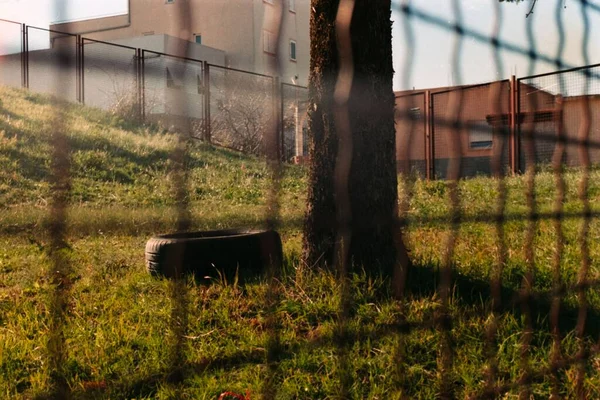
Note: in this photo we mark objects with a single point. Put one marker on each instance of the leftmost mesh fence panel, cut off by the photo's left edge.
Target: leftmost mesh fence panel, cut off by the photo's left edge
(10, 53)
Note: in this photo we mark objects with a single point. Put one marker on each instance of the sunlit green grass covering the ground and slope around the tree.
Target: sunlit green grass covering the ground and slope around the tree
(118, 332)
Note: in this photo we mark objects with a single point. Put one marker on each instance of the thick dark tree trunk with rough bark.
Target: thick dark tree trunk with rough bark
(373, 179)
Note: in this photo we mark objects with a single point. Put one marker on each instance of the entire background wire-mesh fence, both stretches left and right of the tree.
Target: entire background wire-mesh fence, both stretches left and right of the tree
(231, 107)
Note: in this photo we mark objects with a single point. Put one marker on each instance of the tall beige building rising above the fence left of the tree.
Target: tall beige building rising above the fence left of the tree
(234, 26)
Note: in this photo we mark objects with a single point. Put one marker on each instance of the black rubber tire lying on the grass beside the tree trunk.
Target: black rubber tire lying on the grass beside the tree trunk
(214, 254)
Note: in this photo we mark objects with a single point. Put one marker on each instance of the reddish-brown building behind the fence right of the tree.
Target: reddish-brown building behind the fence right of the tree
(428, 139)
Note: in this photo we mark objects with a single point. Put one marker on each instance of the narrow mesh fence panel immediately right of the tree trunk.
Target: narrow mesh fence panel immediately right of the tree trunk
(411, 133)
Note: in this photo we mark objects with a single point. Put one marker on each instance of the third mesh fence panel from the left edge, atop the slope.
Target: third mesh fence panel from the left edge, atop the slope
(110, 77)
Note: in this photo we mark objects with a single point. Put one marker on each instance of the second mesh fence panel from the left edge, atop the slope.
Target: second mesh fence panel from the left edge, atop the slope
(51, 56)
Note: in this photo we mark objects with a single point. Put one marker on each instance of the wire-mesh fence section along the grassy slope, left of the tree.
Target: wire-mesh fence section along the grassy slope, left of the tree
(225, 106)
